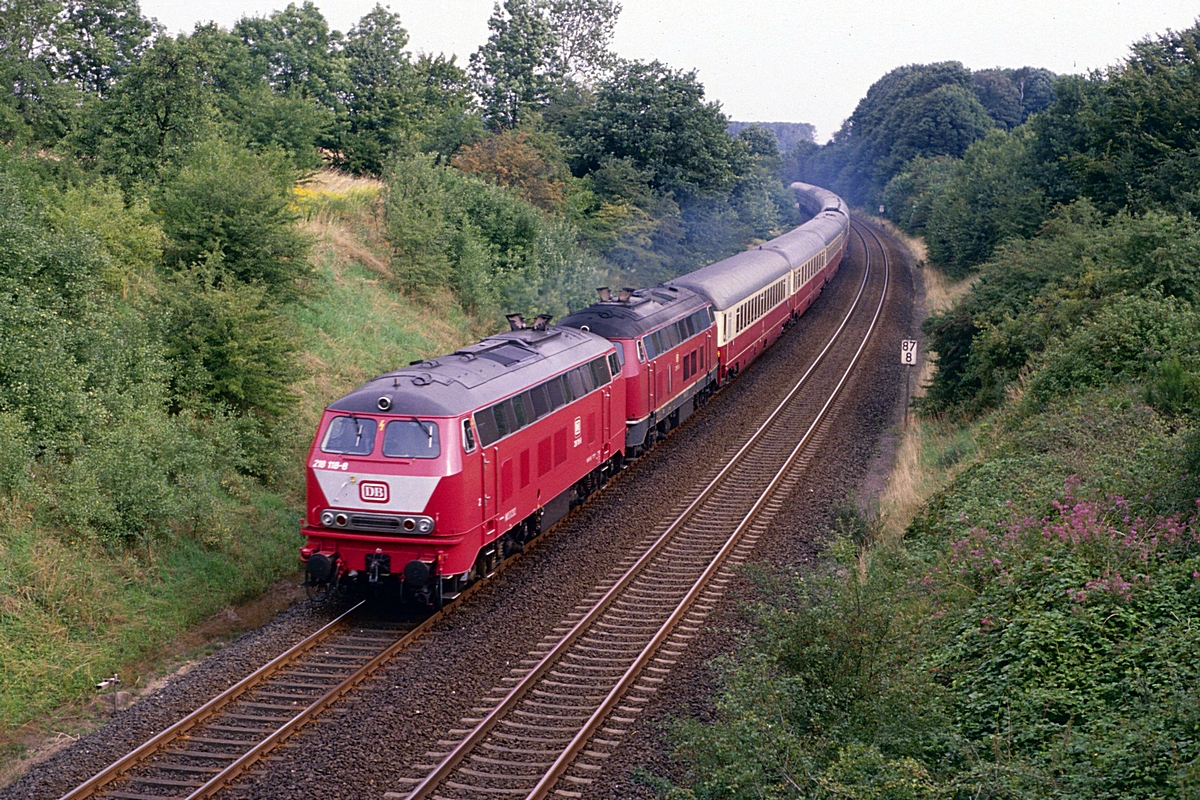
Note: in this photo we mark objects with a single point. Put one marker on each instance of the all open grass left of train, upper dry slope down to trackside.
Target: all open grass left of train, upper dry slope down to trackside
(73, 613)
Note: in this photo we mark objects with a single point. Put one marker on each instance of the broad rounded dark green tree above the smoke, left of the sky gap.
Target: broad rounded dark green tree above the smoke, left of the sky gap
(658, 119)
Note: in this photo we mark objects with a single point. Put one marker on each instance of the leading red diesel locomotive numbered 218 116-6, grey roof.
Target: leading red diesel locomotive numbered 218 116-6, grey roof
(431, 474)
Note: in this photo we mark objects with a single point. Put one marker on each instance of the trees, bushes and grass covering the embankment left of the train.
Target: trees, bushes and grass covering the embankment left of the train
(207, 237)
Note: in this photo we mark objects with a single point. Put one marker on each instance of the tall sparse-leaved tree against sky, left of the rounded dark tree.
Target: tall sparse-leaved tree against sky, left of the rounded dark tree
(517, 70)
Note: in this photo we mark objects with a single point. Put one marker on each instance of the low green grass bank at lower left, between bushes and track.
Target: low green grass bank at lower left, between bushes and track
(74, 613)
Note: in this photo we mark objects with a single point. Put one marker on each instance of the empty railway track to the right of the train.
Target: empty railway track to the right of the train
(556, 719)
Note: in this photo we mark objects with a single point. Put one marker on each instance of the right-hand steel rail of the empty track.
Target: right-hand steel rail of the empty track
(615, 696)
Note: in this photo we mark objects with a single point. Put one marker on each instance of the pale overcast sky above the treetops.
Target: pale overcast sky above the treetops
(788, 61)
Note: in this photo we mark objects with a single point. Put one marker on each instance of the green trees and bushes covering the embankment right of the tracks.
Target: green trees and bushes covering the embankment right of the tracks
(1033, 630)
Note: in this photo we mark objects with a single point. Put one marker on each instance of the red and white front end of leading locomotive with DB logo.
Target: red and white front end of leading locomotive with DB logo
(385, 472)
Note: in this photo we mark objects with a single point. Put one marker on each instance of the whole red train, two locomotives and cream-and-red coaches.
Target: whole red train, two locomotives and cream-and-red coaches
(425, 479)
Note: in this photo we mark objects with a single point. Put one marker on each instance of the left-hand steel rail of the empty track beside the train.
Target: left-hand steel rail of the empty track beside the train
(548, 661)
